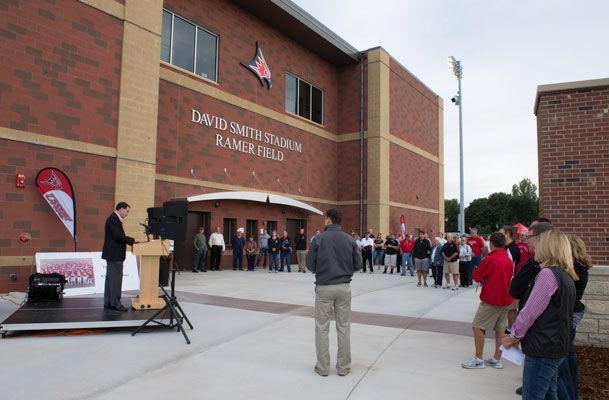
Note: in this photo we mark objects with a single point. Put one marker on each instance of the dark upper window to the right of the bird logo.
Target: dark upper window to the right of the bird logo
(304, 99)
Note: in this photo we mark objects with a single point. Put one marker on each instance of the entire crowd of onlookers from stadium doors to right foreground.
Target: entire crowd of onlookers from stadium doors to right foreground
(532, 284)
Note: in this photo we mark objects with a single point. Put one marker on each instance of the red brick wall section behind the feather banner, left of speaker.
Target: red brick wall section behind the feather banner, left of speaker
(25, 210)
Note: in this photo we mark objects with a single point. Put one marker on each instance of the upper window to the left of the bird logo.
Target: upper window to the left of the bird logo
(189, 46)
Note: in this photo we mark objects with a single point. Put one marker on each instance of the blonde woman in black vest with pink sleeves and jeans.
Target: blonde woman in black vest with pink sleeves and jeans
(545, 323)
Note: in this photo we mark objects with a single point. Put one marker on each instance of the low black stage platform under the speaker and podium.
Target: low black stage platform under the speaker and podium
(75, 313)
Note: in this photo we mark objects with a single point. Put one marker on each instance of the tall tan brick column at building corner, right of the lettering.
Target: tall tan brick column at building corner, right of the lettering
(377, 208)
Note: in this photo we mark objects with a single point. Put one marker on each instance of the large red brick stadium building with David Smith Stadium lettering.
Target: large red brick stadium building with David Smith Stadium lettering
(147, 101)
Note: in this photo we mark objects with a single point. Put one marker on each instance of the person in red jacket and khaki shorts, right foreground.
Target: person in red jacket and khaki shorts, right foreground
(496, 272)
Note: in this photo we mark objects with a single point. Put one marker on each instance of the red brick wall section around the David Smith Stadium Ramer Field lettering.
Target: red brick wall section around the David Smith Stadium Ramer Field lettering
(184, 145)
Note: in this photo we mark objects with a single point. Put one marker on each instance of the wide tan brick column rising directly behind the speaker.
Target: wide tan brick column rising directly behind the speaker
(138, 107)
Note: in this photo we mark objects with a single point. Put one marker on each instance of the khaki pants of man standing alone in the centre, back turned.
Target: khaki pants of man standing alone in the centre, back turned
(337, 298)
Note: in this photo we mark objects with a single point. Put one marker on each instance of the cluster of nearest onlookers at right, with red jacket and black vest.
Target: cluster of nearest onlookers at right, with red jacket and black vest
(531, 298)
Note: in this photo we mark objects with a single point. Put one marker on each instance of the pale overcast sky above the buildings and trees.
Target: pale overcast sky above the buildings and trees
(506, 49)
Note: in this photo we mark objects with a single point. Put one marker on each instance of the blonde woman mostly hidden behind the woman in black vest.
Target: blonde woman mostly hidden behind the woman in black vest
(568, 373)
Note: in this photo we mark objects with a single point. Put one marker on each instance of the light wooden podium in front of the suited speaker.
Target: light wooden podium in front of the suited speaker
(149, 274)
